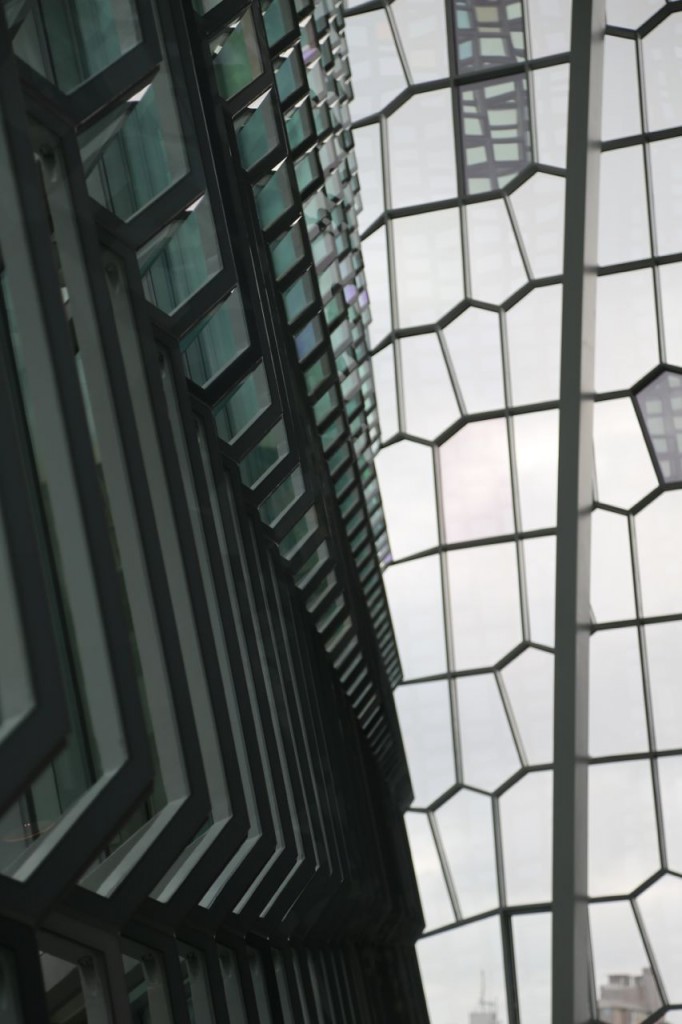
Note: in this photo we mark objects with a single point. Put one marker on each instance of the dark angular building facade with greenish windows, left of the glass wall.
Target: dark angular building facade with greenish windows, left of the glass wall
(202, 777)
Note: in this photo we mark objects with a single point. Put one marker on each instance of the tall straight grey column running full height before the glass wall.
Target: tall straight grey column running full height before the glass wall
(572, 988)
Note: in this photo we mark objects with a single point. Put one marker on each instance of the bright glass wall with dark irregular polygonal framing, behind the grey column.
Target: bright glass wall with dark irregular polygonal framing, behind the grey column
(461, 117)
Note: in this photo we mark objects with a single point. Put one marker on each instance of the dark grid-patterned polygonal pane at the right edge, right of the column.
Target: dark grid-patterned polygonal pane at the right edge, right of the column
(661, 406)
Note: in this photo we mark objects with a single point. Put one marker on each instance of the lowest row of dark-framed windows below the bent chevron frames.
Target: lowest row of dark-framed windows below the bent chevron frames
(147, 978)
